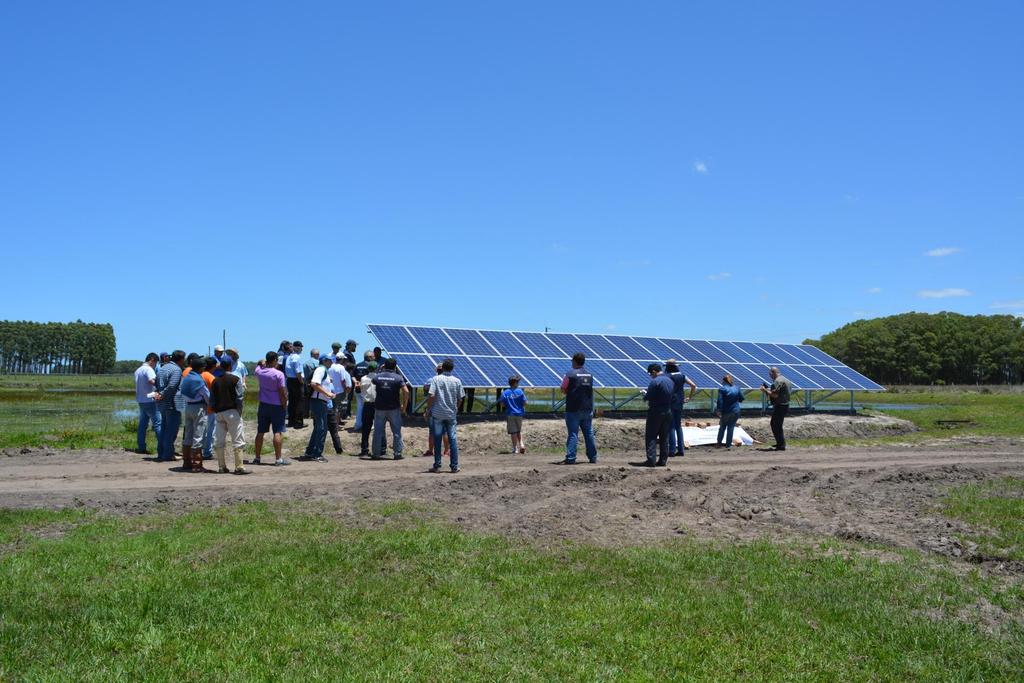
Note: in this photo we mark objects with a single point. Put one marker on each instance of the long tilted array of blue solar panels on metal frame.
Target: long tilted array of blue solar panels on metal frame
(489, 358)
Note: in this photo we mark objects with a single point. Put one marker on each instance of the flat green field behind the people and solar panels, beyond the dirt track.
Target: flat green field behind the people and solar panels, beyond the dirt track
(99, 411)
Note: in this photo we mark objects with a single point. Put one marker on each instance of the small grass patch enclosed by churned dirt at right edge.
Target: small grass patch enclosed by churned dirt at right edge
(997, 508)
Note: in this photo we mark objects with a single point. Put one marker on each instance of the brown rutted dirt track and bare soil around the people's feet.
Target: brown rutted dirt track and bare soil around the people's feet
(885, 495)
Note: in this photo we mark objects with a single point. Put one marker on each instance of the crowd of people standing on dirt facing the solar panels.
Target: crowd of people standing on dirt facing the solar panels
(204, 397)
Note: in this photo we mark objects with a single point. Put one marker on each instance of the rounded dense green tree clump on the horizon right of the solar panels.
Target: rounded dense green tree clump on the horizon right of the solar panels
(932, 349)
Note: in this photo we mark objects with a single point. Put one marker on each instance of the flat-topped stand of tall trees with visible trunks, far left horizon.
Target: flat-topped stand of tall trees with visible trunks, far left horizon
(57, 348)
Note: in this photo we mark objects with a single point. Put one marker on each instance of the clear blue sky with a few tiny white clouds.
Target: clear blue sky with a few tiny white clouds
(762, 172)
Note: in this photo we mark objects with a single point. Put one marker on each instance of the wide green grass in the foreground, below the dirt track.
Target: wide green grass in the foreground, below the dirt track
(275, 593)
